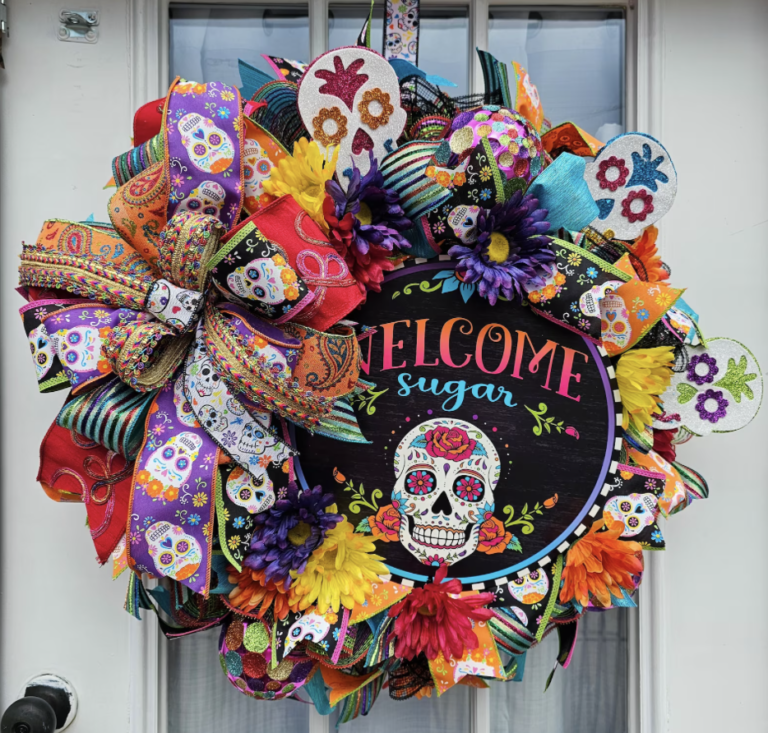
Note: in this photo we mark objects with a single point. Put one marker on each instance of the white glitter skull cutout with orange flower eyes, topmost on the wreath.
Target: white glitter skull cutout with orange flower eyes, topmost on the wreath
(350, 98)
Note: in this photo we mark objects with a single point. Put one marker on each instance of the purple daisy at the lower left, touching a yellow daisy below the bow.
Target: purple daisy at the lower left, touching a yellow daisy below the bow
(287, 534)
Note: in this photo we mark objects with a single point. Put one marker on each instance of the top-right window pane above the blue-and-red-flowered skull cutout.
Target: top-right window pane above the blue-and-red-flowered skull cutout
(574, 56)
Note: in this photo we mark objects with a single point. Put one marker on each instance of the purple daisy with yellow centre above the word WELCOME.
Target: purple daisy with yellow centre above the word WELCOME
(509, 251)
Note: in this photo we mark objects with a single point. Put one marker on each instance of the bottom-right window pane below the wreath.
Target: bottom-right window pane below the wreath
(588, 697)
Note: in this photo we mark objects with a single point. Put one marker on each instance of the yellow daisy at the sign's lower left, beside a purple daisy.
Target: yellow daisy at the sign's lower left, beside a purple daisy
(339, 572)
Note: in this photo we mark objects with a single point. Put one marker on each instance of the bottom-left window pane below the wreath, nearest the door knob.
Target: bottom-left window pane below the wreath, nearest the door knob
(201, 698)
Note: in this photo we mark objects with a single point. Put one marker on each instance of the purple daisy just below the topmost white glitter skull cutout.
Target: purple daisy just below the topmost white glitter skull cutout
(378, 217)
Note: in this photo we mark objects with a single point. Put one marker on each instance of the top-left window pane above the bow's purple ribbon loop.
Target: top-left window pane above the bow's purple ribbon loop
(207, 40)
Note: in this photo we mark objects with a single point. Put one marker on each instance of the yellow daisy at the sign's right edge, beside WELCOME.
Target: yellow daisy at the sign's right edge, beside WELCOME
(643, 376)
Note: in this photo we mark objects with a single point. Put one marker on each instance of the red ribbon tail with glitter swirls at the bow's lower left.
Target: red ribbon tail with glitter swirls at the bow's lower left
(70, 471)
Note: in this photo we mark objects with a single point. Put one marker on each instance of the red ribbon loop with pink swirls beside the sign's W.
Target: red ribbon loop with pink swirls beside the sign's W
(314, 259)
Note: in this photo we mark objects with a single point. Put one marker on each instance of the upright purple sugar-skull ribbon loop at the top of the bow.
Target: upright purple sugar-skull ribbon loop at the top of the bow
(204, 149)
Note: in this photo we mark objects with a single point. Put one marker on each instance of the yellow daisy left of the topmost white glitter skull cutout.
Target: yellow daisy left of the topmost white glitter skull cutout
(303, 176)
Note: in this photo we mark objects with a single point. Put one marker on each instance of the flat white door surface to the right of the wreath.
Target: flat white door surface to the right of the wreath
(715, 103)
